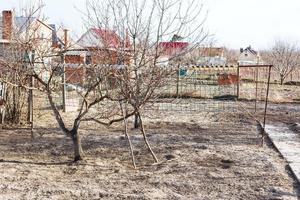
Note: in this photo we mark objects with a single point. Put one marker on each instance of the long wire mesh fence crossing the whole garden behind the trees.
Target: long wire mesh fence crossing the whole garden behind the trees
(190, 89)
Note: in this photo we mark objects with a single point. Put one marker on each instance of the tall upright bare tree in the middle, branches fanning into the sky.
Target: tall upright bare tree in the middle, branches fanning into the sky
(145, 24)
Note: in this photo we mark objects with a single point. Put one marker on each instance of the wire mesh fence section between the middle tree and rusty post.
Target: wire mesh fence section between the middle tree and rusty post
(199, 88)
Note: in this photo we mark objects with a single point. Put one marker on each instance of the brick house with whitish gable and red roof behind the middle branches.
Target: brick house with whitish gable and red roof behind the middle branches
(96, 46)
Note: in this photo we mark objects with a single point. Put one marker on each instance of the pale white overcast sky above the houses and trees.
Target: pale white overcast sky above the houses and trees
(234, 23)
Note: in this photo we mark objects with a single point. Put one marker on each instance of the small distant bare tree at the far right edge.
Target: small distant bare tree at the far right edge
(285, 57)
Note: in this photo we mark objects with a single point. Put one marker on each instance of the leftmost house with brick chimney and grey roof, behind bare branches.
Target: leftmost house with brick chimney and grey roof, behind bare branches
(16, 30)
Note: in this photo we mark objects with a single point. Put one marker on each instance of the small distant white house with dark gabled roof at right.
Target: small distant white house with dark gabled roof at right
(248, 56)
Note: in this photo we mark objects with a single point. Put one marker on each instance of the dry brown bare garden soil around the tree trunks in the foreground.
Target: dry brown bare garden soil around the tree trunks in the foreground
(202, 156)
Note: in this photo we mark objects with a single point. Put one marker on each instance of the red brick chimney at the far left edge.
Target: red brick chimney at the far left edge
(7, 24)
